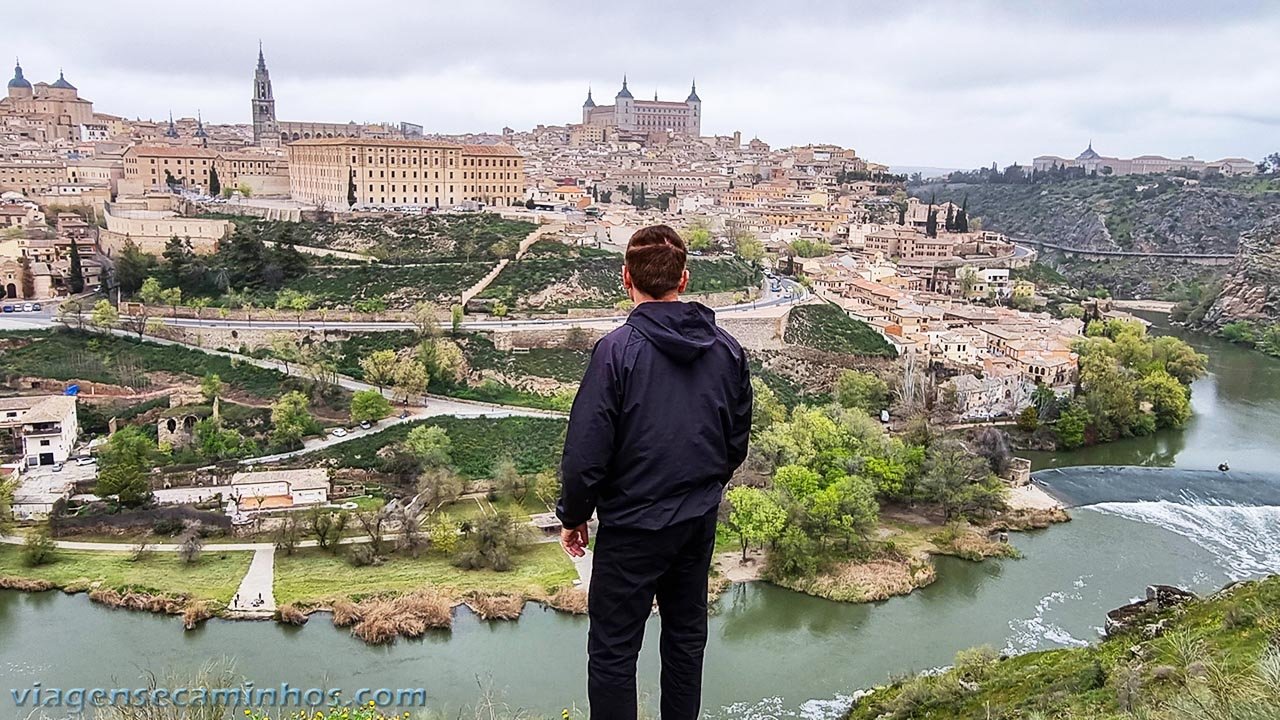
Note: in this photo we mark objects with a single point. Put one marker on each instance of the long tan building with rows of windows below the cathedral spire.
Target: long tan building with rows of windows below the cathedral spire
(331, 172)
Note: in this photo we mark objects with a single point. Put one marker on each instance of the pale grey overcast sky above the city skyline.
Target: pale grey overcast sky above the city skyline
(948, 84)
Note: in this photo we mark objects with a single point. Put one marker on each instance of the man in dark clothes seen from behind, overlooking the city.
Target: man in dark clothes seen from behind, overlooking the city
(659, 427)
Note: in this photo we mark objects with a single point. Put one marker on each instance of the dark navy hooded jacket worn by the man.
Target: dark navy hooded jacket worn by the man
(660, 423)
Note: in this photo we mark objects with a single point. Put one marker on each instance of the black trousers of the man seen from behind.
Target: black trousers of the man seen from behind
(629, 569)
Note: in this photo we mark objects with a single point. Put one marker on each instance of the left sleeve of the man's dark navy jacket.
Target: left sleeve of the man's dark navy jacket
(589, 441)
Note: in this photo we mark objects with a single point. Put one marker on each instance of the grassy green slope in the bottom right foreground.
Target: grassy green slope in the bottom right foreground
(1217, 658)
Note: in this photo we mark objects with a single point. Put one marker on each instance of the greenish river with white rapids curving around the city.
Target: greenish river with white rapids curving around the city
(775, 654)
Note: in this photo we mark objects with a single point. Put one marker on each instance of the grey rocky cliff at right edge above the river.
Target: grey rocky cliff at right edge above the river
(1251, 290)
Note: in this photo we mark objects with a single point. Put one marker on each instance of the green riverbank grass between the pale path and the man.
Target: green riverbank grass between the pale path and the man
(313, 576)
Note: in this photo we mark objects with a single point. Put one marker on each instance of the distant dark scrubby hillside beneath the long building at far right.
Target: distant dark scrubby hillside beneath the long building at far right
(1149, 215)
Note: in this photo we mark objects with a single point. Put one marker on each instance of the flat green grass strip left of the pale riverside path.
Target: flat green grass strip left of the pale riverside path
(216, 577)
